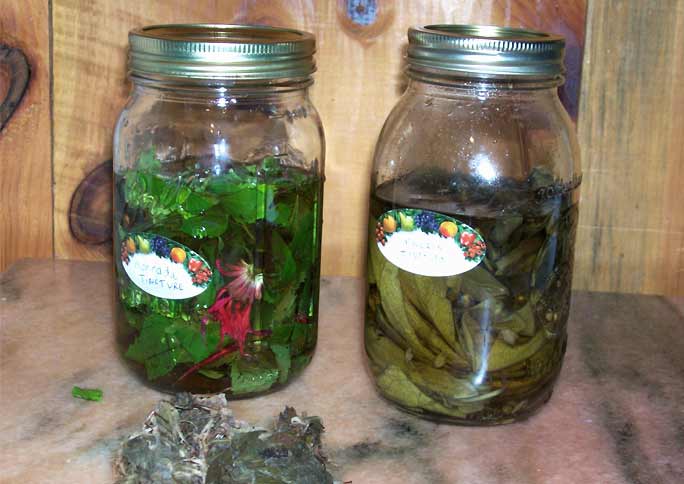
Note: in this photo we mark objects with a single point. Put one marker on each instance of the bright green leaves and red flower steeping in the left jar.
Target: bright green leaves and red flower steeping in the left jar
(260, 218)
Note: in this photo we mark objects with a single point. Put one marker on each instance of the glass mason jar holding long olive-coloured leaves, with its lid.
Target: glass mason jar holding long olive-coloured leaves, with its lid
(473, 216)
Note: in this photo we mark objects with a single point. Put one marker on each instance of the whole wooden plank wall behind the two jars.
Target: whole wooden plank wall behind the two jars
(622, 245)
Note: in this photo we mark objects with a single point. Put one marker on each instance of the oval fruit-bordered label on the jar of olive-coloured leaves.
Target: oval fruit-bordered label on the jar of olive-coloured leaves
(428, 243)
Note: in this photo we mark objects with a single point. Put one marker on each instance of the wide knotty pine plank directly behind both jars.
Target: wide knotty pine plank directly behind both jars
(359, 78)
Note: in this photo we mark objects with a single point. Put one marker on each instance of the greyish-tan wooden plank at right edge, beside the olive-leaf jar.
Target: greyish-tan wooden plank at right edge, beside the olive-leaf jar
(631, 235)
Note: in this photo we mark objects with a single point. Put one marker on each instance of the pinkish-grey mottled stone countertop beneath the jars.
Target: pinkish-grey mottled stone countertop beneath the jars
(617, 415)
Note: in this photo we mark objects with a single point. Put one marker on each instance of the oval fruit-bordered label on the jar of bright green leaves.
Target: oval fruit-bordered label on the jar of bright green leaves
(164, 268)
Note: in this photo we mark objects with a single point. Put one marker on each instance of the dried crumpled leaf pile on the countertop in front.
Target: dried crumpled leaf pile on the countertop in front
(195, 440)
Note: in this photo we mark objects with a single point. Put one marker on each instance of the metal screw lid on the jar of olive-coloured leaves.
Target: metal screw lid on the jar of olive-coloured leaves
(485, 51)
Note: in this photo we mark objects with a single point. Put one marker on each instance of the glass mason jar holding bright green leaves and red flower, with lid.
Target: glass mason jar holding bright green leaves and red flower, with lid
(218, 165)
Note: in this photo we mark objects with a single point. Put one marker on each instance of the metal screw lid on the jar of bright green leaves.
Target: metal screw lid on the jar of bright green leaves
(220, 52)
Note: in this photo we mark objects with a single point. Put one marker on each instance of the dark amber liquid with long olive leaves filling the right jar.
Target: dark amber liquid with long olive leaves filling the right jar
(506, 318)
